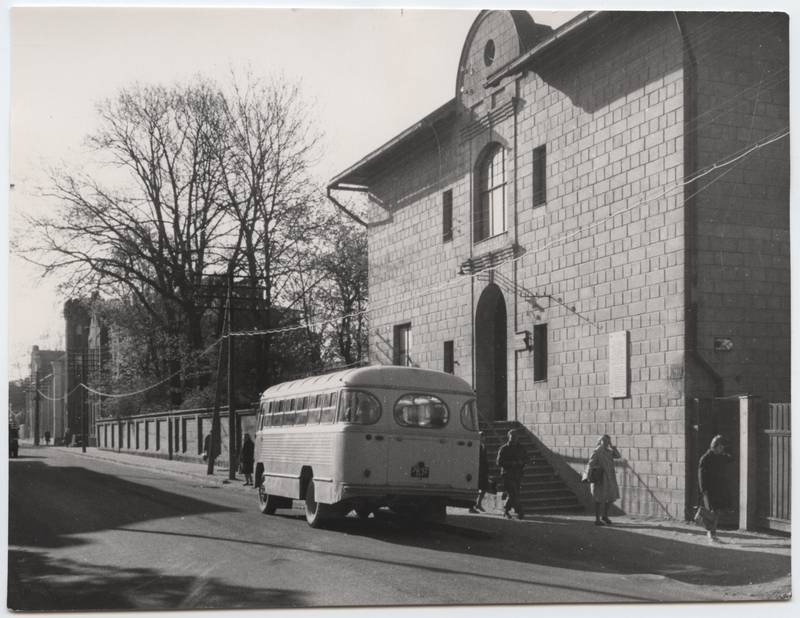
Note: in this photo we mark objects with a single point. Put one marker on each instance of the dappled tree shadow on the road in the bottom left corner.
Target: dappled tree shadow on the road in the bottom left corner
(39, 582)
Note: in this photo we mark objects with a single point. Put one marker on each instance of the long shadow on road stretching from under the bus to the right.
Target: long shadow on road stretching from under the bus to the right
(579, 545)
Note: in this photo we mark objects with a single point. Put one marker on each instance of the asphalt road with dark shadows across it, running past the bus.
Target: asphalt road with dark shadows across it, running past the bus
(86, 534)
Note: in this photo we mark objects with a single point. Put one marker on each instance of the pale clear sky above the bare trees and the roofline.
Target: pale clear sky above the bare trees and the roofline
(370, 73)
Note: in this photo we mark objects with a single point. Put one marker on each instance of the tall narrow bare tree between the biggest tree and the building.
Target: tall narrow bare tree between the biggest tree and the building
(276, 205)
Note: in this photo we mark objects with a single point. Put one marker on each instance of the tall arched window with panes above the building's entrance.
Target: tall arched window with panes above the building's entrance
(490, 211)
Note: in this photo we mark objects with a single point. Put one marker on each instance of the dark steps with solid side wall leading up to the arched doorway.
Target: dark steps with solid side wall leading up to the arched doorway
(543, 491)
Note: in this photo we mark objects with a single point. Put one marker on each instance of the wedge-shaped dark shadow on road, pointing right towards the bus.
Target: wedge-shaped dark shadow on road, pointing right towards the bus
(48, 505)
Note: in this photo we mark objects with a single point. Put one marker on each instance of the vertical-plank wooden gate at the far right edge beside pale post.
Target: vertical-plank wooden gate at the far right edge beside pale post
(774, 468)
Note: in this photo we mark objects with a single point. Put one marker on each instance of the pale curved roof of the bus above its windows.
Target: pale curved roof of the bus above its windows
(376, 376)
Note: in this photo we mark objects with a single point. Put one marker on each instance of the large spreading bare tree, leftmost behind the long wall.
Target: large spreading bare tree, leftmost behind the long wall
(157, 236)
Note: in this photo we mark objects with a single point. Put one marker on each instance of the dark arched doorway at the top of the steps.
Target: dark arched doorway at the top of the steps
(490, 354)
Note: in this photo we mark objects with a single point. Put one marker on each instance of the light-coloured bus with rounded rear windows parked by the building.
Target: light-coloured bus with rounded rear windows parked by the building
(363, 439)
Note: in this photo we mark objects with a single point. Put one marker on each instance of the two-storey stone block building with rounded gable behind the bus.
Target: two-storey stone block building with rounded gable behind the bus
(594, 231)
